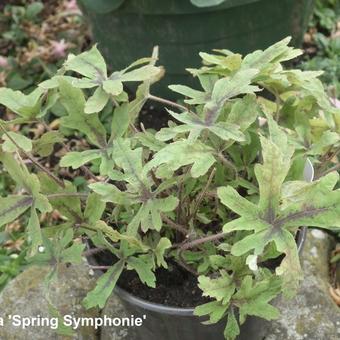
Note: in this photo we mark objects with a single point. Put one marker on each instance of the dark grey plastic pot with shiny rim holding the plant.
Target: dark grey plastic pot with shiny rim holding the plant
(173, 323)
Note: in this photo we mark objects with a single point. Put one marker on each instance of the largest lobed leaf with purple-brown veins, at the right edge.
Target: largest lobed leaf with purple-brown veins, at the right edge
(276, 220)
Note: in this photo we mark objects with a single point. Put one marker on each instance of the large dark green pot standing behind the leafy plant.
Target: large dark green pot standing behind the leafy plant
(183, 28)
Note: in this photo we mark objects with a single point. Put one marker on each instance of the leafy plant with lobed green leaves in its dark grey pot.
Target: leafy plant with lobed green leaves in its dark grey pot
(200, 218)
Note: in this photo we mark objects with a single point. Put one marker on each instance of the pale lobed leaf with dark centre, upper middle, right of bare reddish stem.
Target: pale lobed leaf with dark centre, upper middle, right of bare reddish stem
(226, 88)
